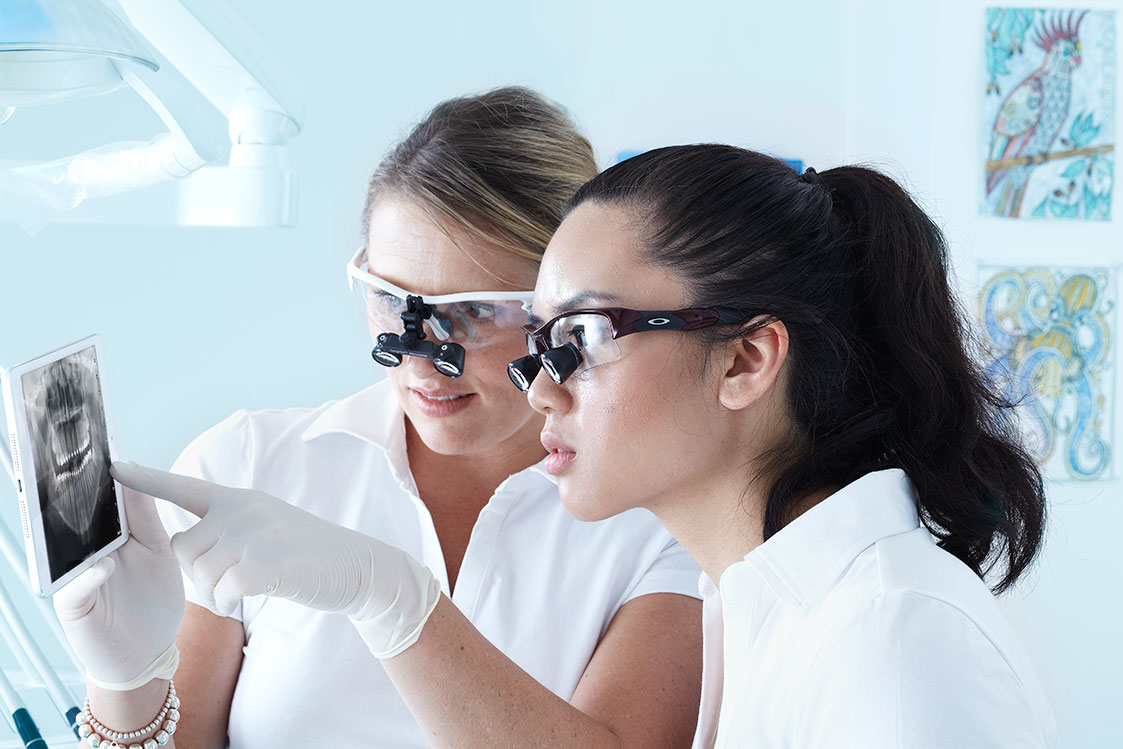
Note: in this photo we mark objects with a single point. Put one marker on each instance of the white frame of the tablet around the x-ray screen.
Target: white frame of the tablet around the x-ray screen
(26, 474)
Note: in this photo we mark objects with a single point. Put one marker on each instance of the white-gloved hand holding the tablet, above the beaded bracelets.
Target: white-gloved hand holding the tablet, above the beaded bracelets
(122, 615)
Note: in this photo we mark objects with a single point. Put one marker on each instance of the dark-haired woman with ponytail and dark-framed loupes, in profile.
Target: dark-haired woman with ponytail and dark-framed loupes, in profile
(775, 367)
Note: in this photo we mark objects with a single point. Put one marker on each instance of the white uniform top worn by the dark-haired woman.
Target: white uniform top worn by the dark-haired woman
(852, 628)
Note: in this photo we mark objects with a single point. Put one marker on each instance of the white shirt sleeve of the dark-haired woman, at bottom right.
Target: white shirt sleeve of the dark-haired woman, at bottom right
(915, 672)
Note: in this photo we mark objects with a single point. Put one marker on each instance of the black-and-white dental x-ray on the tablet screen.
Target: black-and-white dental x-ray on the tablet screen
(67, 424)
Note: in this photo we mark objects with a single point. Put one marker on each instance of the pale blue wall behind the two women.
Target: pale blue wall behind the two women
(200, 323)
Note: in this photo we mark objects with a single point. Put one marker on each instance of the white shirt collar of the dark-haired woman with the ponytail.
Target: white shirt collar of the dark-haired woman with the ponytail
(806, 559)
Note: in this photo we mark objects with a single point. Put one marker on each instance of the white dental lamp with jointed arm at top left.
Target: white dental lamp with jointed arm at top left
(204, 71)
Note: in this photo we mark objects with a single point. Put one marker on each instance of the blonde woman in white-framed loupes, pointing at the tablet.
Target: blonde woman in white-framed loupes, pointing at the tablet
(416, 518)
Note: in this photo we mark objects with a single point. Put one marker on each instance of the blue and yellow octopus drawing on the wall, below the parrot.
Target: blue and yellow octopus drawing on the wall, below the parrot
(1049, 343)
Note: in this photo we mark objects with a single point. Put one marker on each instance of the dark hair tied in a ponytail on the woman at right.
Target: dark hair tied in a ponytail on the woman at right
(880, 373)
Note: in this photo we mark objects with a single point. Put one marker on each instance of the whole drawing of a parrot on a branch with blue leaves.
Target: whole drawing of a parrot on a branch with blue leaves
(1049, 114)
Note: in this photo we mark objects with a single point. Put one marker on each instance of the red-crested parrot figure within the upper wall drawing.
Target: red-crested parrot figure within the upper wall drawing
(1033, 116)
